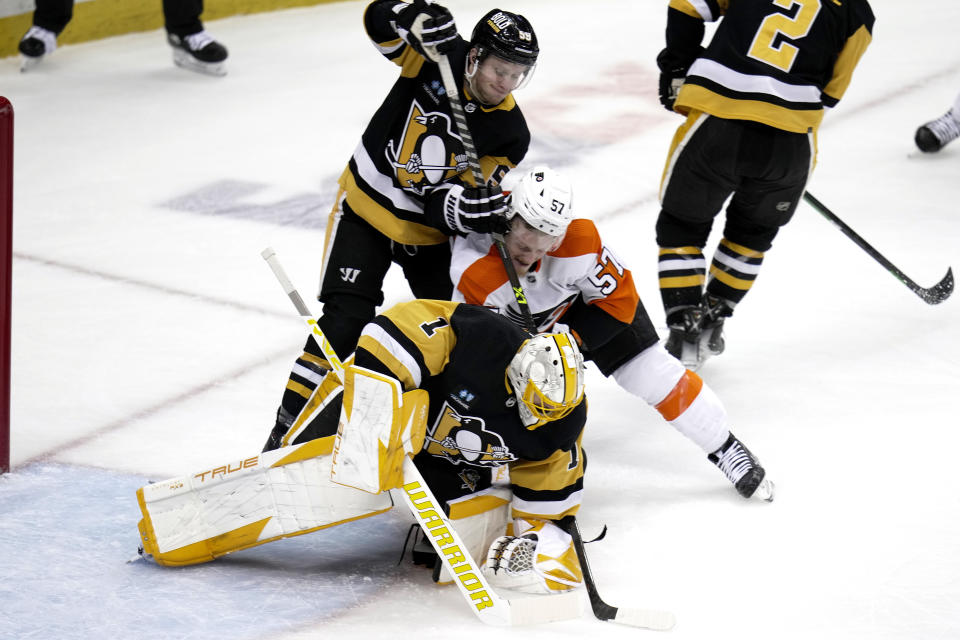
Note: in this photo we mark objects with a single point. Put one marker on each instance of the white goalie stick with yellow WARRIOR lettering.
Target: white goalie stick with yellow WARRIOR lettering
(430, 515)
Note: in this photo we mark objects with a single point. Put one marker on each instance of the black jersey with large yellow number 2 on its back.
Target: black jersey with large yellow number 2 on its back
(778, 62)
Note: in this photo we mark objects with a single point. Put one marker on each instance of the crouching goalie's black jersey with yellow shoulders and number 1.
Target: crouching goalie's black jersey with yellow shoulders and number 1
(459, 354)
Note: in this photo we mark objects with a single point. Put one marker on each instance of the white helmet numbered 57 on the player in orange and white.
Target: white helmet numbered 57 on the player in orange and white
(544, 199)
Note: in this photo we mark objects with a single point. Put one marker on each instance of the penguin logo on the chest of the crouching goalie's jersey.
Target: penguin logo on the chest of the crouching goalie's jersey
(463, 439)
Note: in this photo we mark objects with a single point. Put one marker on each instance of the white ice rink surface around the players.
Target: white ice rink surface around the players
(151, 340)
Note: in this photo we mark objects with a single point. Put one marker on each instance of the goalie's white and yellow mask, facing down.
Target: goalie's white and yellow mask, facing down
(546, 375)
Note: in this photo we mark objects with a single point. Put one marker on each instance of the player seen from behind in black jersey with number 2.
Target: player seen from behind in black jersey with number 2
(754, 98)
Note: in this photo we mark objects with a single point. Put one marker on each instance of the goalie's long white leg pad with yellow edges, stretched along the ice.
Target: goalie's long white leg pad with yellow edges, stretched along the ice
(245, 503)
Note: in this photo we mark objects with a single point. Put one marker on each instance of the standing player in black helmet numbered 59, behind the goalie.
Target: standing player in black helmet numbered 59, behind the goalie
(408, 186)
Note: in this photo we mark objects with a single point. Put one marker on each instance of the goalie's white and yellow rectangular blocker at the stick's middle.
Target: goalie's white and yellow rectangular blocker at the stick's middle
(379, 425)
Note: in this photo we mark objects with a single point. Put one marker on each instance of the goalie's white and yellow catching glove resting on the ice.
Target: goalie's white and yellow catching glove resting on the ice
(540, 559)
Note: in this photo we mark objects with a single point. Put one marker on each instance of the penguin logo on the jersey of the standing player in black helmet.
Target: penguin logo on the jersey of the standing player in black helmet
(428, 151)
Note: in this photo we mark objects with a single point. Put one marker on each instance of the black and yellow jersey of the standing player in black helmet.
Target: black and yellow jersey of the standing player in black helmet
(412, 144)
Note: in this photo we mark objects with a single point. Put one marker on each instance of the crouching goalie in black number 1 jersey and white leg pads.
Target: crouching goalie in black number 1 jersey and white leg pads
(490, 418)
